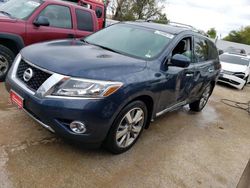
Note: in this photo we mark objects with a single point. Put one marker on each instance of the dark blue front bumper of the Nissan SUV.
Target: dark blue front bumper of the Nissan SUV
(56, 114)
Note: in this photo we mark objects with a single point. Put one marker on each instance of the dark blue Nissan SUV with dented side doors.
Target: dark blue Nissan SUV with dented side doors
(109, 86)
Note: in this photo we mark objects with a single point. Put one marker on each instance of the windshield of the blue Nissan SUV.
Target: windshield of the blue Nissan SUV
(130, 40)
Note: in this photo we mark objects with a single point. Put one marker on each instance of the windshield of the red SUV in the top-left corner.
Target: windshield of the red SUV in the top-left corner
(20, 9)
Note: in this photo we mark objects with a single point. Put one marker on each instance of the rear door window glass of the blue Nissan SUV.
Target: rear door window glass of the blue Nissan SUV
(201, 49)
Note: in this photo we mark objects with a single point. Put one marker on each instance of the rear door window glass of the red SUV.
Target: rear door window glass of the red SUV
(84, 20)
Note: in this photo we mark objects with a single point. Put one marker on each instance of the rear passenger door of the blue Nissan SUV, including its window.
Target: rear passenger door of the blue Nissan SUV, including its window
(206, 56)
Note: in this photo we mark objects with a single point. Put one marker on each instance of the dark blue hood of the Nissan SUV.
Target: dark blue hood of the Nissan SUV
(77, 59)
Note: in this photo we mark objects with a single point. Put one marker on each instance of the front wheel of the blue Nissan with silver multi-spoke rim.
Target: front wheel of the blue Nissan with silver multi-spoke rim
(127, 128)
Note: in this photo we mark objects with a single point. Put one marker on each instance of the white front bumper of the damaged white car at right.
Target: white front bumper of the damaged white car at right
(232, 80)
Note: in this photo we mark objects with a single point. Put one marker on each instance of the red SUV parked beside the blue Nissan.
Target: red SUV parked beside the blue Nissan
(24, 22)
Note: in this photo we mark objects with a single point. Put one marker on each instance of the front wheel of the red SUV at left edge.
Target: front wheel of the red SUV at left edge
(6, 59)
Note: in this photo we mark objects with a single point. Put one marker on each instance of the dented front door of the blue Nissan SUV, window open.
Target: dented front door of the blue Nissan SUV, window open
(179, 81)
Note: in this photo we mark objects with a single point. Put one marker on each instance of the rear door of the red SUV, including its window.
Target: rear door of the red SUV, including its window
(85, 23)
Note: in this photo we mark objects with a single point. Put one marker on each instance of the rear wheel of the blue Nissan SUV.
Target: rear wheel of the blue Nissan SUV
(198, 105)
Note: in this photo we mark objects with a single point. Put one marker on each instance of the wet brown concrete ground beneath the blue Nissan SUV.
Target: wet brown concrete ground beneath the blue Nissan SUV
(180, 149)
